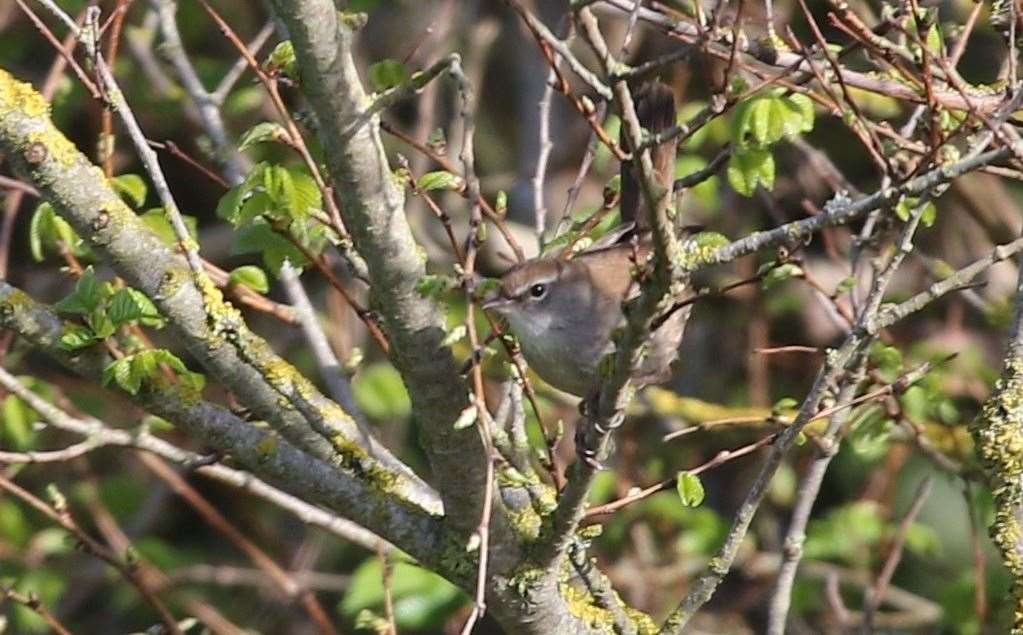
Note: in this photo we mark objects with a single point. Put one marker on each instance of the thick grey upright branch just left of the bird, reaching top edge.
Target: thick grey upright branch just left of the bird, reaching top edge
(373, 207)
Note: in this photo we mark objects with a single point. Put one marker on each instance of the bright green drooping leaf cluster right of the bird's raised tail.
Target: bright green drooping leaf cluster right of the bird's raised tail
(758, 124)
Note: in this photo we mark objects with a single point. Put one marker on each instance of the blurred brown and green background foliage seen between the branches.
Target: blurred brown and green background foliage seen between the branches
(651, 549)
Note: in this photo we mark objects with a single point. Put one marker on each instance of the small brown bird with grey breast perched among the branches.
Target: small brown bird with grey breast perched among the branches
(563, 311)
